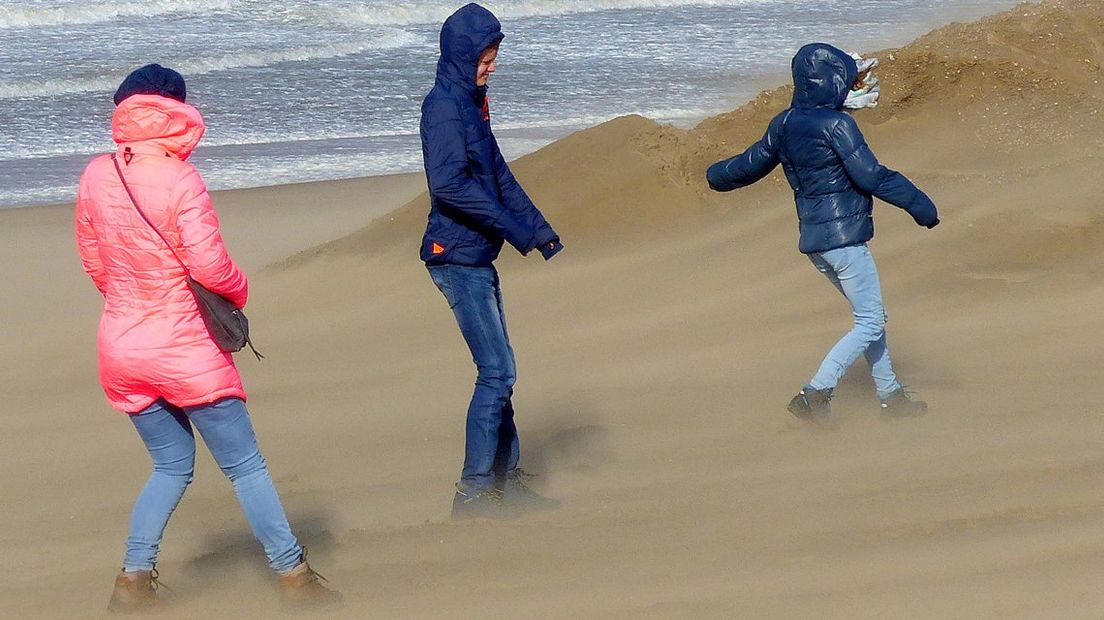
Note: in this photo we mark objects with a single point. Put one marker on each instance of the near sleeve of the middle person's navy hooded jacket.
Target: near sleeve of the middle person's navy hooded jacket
(449, 175)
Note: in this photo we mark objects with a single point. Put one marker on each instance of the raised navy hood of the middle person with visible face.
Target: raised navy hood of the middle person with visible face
(464, 37)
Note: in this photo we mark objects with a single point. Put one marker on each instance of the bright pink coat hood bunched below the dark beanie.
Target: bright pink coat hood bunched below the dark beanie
(154, 123)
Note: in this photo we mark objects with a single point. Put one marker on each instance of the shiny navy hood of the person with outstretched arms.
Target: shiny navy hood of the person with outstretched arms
(823, 77)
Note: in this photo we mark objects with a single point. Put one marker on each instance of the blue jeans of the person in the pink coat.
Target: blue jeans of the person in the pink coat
(167, 432)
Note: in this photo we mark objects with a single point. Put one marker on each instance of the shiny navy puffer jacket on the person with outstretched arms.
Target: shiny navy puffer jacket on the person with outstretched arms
(830, 166)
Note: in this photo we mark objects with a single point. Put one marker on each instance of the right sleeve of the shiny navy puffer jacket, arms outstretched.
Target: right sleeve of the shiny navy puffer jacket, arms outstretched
(875, 179)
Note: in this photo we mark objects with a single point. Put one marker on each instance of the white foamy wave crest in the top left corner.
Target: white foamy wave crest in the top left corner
(99, 13)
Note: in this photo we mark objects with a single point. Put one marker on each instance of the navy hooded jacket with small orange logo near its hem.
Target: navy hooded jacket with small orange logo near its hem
(475, 202)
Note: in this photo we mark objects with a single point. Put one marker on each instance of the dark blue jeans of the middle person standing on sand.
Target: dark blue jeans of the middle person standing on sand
(492, 448)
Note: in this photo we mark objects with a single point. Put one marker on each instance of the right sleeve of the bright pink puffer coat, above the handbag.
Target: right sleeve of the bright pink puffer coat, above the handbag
(203, 249)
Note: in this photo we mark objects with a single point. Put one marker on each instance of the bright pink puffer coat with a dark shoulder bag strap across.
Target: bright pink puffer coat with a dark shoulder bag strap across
(153, 341)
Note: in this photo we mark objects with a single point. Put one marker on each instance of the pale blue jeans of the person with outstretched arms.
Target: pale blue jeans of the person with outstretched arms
(852, 270)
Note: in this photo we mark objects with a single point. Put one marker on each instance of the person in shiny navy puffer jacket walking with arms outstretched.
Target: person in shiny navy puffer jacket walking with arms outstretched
(835, 178)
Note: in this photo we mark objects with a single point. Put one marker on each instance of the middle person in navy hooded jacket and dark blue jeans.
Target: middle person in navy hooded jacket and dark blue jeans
(475, 207)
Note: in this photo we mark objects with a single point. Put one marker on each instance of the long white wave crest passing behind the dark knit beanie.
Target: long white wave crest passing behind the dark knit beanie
(390, 40)
